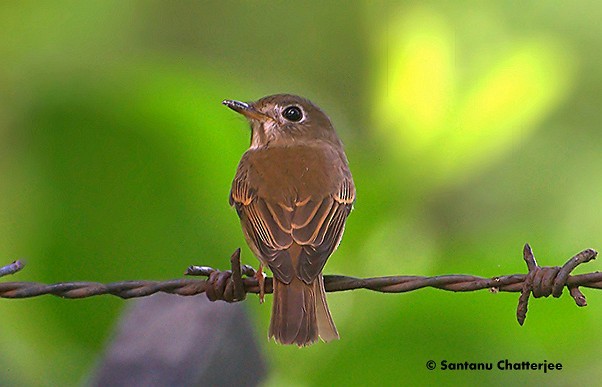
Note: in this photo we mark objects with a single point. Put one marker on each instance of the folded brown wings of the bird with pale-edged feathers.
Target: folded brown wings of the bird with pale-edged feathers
(271, 227)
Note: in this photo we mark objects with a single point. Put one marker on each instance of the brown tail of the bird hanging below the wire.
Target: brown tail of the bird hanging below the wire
(300, 314)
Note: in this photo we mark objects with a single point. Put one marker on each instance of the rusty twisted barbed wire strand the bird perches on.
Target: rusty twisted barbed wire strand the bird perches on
(231, 286)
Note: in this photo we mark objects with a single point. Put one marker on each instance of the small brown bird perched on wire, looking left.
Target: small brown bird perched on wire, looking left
(293, 192)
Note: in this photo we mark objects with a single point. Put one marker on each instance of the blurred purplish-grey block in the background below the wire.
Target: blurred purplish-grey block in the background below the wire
(168, 340)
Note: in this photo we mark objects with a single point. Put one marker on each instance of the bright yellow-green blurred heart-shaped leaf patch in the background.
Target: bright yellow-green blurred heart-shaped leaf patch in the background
(462, 121)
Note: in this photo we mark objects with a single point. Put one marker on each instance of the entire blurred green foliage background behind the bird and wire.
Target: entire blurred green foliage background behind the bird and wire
(471, 128)
